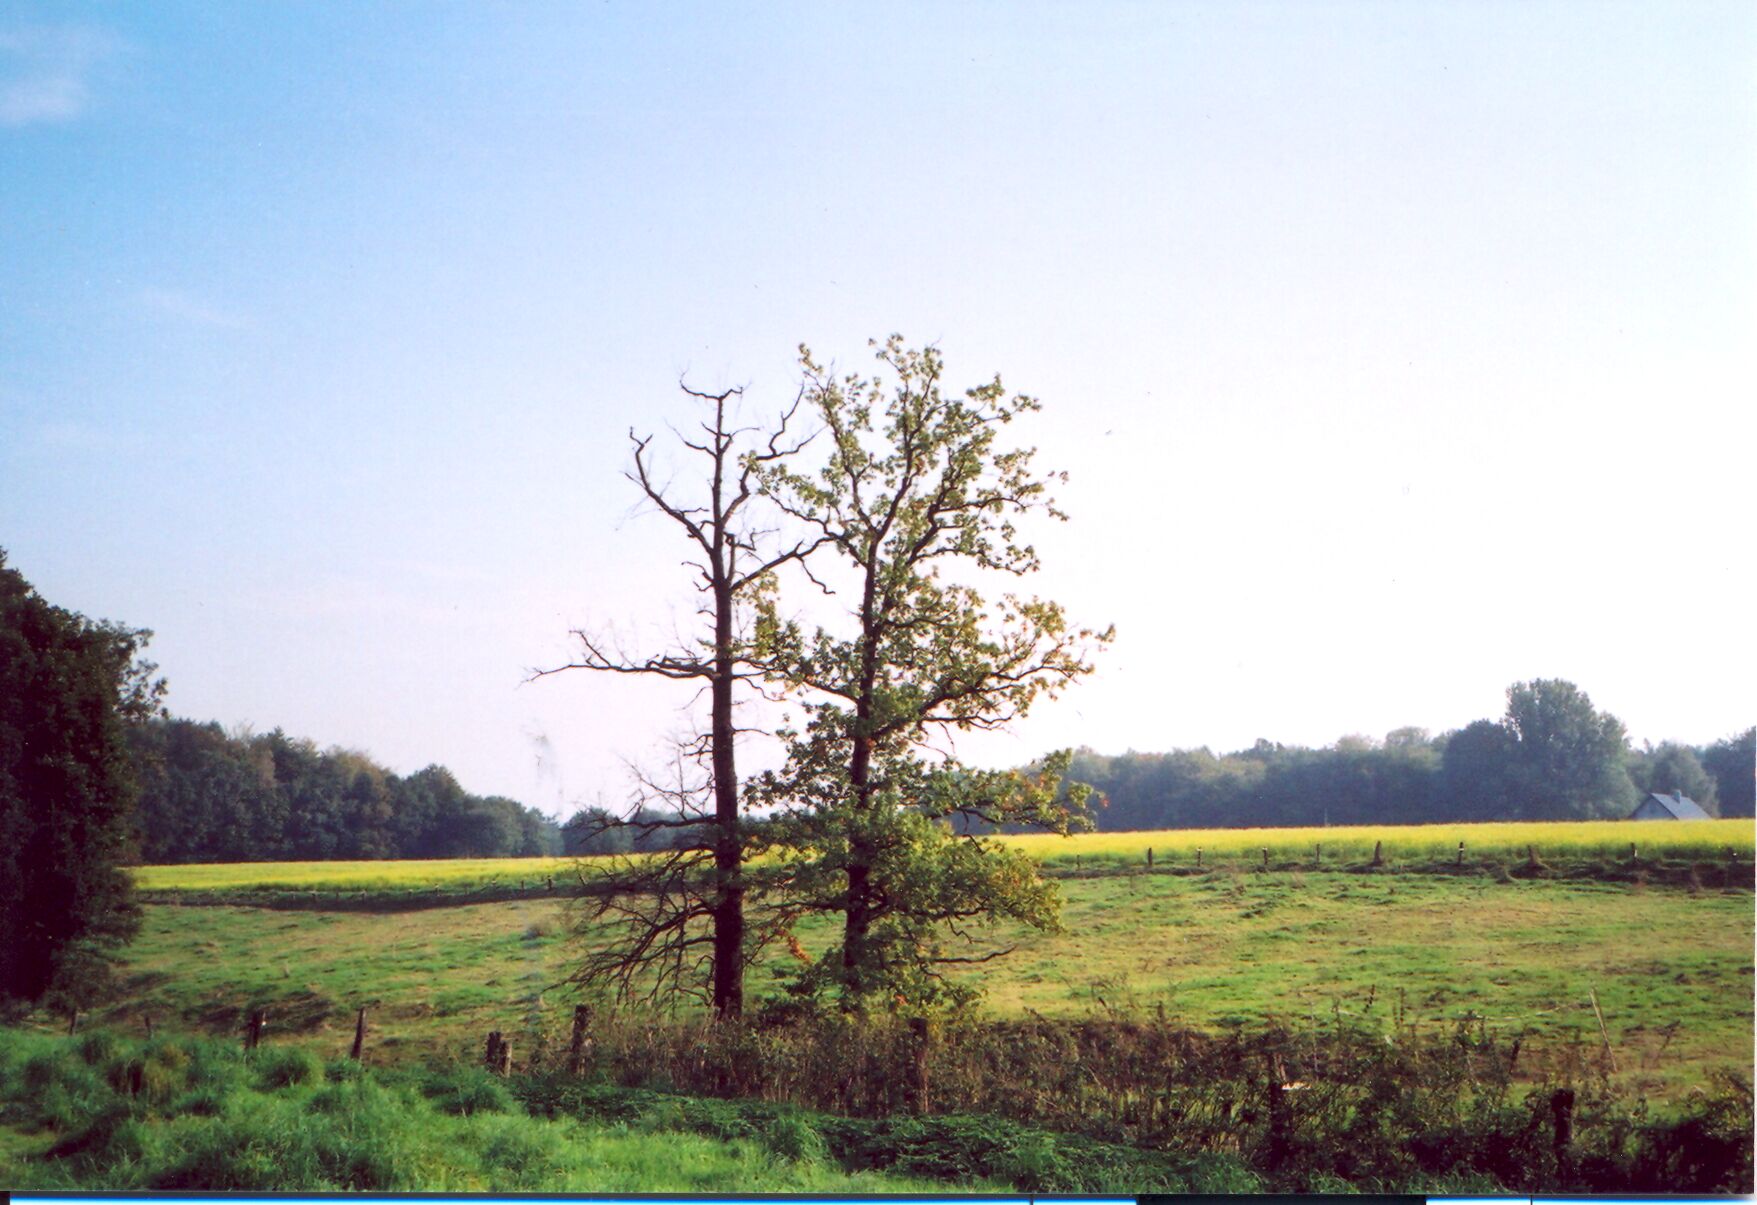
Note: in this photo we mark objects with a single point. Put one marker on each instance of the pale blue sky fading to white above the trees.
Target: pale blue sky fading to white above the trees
(1398, 352)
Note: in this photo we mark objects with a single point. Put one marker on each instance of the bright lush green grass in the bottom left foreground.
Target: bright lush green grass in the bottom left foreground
(105, 1113)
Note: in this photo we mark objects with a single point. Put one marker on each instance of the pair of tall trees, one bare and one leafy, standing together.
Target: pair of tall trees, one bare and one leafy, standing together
(895, 501)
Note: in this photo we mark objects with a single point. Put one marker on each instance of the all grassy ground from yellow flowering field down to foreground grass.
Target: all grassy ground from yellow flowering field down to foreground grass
(1124, 1051)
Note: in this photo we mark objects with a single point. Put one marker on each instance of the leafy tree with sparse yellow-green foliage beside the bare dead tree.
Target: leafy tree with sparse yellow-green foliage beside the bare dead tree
(915, 489)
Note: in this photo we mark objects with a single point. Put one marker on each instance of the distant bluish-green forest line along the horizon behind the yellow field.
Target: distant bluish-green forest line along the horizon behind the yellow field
(215, 797)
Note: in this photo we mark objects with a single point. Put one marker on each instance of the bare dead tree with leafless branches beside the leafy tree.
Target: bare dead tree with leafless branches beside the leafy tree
(674, 920)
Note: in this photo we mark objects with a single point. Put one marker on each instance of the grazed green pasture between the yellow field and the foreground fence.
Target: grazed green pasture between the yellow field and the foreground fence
(1670, 969)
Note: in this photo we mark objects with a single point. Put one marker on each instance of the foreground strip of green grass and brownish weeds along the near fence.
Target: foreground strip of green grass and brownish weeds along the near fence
(108, 1113)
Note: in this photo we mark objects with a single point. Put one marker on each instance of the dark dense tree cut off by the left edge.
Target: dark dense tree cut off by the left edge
(69, 688)
